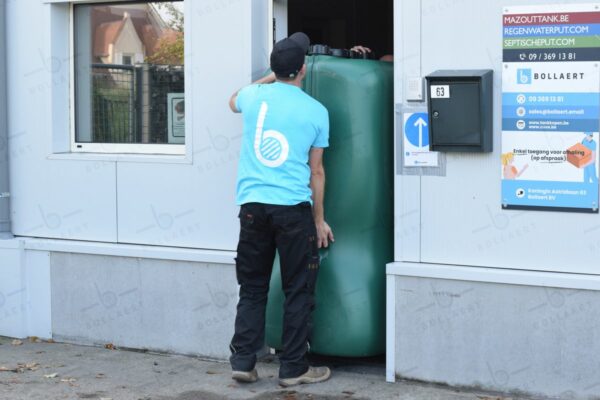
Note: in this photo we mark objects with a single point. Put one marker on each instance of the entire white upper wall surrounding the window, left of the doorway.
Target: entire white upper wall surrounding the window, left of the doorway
(158, 200)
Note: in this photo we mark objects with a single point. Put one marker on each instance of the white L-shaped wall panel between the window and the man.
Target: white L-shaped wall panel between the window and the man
(193, 205)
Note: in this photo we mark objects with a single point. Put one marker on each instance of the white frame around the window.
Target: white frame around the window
(122, 148)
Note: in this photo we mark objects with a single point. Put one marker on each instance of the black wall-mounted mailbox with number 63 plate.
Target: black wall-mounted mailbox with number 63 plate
(460, 104)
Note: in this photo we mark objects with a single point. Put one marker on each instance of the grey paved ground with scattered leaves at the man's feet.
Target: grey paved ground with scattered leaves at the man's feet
(52, 371)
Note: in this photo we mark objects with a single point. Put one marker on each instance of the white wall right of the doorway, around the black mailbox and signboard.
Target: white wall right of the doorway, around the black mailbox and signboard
(457, 219)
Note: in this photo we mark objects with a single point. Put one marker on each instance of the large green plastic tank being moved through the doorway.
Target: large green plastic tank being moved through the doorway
(349, 319)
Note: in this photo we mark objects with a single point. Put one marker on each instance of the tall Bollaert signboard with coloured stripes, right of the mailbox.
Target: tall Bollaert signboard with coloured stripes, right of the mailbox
(551, 108)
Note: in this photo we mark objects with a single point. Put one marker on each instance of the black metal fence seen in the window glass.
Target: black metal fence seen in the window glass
(130, 103)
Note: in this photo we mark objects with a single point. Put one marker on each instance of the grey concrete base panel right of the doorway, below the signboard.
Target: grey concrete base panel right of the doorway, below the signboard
(501, 337)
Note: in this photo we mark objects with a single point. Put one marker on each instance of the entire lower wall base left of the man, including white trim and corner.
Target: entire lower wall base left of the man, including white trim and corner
(143, 299)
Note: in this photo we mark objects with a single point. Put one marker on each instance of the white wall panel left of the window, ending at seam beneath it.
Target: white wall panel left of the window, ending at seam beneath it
(50, 198)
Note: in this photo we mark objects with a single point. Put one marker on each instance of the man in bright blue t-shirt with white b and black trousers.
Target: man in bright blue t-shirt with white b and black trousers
(280, 175)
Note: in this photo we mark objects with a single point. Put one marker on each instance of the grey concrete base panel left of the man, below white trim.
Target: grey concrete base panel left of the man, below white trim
(182, 307)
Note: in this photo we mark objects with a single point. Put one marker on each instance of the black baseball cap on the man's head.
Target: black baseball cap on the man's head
(287, 57)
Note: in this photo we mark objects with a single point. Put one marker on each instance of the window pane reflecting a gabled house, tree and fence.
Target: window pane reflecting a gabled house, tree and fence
(129, 76)
